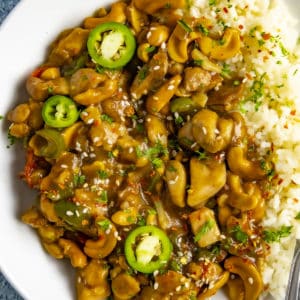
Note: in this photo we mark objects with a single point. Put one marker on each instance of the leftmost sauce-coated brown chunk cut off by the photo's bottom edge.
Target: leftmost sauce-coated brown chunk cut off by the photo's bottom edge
(92, 282)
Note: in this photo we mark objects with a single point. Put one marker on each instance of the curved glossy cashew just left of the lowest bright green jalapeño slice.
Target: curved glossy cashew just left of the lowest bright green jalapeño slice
(105, 243)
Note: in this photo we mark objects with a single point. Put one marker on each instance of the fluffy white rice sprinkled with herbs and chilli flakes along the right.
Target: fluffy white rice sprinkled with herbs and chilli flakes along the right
(276, 121)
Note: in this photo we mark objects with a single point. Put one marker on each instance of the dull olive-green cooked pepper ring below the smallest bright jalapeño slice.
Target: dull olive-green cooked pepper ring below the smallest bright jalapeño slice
(48, 143)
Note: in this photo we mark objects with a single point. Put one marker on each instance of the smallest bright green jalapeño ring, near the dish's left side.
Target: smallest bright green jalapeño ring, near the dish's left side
(59, 111)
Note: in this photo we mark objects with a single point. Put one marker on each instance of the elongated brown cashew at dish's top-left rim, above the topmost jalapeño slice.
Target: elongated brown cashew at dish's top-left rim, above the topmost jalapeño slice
(116, 14)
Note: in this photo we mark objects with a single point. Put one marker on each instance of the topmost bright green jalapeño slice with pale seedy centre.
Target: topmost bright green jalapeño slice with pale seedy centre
(111, 45)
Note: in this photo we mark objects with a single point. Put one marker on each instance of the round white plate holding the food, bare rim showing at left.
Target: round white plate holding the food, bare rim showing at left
(24, 36)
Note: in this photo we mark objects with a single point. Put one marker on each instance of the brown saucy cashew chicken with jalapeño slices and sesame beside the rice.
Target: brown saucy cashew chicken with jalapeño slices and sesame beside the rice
(149, 179)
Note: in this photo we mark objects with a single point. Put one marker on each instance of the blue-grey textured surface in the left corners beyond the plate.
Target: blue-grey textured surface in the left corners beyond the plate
(6, 290)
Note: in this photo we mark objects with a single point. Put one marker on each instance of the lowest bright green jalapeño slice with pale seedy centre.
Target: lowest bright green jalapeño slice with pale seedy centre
(147, 249)
